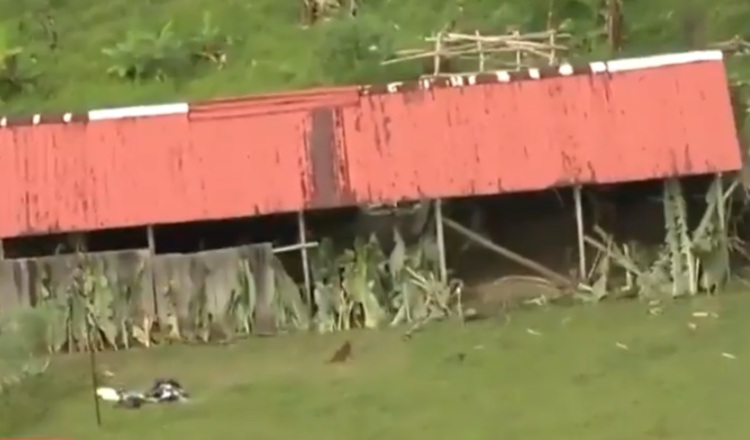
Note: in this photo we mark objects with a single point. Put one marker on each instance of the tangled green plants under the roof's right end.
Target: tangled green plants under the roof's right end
(690, 261)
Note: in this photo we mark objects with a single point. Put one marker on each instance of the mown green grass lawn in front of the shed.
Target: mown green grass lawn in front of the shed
(554, 373)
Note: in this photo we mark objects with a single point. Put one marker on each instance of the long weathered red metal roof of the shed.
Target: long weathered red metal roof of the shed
(493, 133)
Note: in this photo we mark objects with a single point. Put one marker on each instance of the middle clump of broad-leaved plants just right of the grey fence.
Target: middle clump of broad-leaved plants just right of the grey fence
(364, 287)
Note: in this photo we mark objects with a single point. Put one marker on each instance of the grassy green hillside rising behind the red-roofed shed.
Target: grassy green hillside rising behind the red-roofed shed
(76, 54)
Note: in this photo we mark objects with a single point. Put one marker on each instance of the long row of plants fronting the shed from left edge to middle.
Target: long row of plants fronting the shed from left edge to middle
(91, 306)
